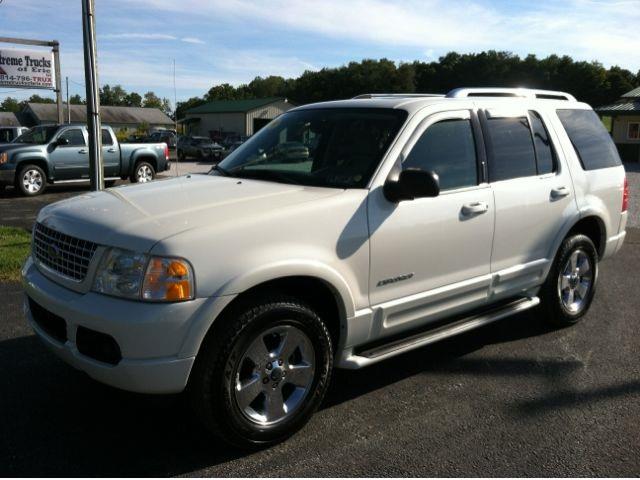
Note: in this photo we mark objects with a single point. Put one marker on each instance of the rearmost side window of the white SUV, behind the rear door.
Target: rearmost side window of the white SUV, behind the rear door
(590, 139)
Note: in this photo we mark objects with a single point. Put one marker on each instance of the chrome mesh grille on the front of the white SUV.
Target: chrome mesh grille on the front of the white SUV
(69, 256)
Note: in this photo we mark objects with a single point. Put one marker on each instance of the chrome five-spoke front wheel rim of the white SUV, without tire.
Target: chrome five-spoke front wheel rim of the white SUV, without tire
(274, 375)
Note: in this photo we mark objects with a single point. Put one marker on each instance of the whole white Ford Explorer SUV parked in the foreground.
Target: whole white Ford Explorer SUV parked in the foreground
(343, 233)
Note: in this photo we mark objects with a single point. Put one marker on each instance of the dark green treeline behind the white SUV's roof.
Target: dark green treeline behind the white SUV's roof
(587, 81)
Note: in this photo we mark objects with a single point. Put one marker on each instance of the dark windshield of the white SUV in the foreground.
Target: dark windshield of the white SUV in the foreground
(339, 147)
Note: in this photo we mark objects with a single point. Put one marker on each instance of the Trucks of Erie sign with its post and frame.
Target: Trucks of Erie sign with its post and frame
(32, 68)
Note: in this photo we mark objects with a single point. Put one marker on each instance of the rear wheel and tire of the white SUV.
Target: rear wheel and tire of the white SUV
(568, 291)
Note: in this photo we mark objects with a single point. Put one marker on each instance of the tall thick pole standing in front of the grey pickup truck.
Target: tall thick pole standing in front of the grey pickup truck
(96, 170)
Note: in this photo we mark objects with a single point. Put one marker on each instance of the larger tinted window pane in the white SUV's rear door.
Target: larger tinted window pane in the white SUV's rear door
(512, 153)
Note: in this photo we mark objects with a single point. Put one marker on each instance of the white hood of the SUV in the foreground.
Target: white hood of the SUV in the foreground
(136, 217)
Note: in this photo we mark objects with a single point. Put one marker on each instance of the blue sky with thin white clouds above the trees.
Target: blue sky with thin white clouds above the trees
(217, 41)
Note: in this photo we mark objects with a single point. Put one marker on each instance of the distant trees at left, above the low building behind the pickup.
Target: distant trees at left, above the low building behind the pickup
(115, 96)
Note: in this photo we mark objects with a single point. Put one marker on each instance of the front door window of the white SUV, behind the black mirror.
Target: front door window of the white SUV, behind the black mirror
(448, 149)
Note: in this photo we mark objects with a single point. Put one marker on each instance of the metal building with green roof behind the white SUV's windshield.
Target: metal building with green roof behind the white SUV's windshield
(223, 118)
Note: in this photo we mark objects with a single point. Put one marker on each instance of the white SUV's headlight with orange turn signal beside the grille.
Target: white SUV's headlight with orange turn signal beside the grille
(128, 274)
